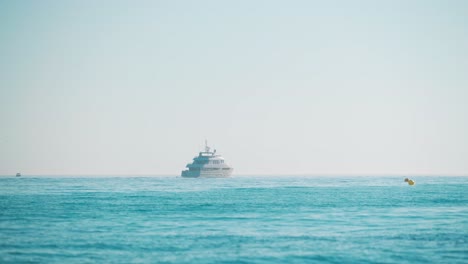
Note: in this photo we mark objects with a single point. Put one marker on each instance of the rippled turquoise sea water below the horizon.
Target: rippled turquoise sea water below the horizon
(235, 220)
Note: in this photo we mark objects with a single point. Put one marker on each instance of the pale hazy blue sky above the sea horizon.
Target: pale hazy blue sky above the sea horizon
(277, 87)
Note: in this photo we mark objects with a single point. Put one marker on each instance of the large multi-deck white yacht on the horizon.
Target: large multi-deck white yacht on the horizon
(207, 164)
